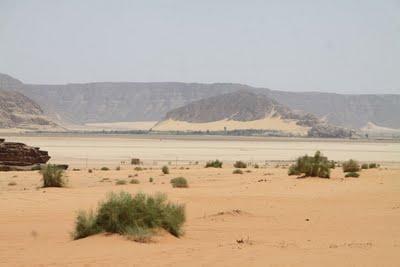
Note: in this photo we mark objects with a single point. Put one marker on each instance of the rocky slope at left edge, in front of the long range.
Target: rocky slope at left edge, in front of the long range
(18, 111)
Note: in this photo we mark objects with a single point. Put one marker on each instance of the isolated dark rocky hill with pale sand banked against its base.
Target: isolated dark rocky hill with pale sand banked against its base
(244, 110)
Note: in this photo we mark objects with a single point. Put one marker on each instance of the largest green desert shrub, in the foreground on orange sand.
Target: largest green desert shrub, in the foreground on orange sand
(136, 216)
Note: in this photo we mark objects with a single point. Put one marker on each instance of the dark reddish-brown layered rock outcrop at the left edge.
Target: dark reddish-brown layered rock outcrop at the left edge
(19, 154)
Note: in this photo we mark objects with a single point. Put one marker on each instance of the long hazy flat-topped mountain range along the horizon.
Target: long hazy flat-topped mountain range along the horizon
(131, 101)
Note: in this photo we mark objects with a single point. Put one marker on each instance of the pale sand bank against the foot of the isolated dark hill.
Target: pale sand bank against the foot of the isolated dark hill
(268, 123)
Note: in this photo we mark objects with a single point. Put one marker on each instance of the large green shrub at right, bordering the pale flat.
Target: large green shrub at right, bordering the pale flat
(314, 166)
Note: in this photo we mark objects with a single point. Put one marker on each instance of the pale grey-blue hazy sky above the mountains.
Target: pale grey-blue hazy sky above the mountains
(343, 46)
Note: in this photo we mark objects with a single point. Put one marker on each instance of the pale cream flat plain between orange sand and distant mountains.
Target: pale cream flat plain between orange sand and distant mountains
(95, 151)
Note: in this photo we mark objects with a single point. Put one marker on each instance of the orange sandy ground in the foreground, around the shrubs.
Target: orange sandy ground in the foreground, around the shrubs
(282, 221)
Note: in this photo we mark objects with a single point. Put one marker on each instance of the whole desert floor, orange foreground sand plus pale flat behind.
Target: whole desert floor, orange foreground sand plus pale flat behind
(262, 217)
